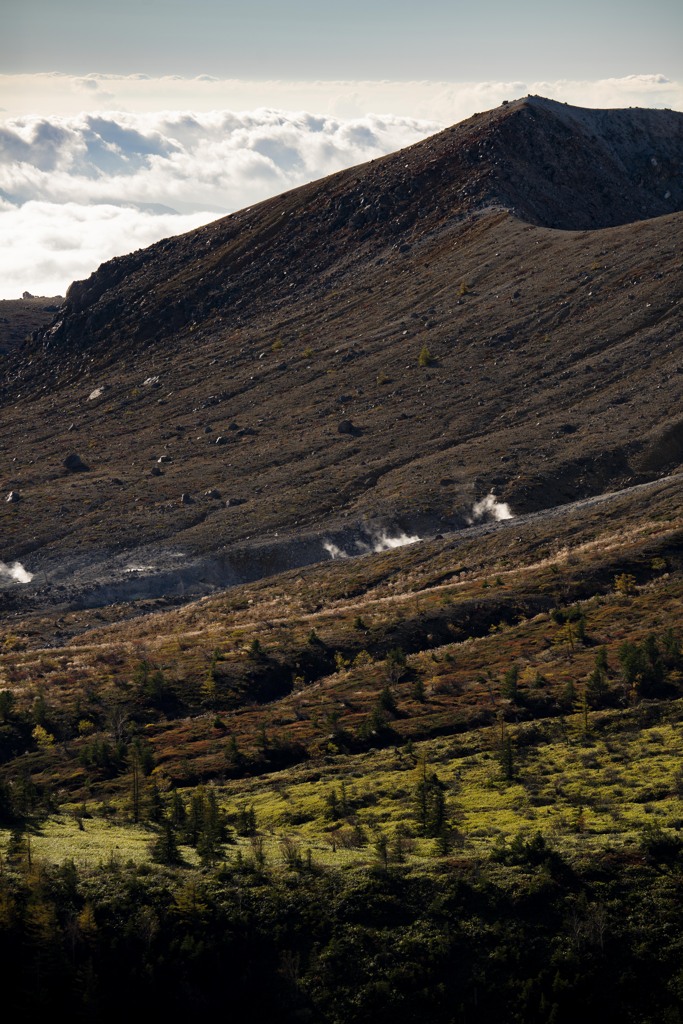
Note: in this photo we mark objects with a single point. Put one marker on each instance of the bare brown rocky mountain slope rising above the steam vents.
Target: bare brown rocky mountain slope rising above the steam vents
(494, 311)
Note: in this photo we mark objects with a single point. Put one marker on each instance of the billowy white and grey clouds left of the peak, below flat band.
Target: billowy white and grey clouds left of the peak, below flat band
(77, 191)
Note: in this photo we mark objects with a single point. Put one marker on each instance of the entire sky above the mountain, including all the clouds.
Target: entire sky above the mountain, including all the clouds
(123, 122)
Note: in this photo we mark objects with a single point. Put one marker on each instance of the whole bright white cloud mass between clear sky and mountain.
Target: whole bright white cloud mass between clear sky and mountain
(112, 168)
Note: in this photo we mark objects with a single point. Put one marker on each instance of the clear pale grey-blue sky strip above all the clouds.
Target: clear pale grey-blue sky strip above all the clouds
(352, 39)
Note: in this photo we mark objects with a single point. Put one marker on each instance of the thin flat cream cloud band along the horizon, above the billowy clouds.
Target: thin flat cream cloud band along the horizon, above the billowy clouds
(439, 101)
